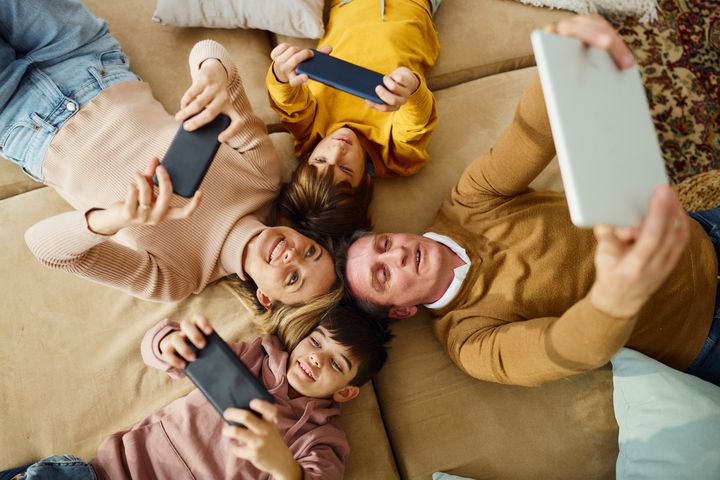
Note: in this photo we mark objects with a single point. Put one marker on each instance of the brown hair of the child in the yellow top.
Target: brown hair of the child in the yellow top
(315, 206)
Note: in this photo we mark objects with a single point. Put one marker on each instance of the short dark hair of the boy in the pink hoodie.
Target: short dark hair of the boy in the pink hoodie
(366, 338)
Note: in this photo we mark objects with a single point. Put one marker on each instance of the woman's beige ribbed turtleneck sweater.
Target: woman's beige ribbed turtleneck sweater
(91, 162)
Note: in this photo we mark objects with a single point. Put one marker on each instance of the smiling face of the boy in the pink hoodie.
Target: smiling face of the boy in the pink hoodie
(319, 367)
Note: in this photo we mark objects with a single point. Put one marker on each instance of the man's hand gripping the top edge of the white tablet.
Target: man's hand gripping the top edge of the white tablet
(595, 31)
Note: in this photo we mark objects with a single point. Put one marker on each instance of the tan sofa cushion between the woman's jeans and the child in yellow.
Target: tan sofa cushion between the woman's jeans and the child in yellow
(159, 54)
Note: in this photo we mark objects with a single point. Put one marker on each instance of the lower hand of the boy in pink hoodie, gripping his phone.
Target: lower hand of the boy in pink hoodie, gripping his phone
(261, 442)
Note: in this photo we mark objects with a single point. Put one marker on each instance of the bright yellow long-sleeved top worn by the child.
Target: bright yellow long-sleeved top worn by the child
(396, 141)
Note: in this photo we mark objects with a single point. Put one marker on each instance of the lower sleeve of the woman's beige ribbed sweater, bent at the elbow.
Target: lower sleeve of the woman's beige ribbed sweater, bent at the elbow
(64, 242)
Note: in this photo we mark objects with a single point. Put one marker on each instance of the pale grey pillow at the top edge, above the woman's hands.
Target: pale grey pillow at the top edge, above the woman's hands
(295, 18)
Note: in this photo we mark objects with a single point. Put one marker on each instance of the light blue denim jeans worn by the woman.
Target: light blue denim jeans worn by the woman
(55, 56)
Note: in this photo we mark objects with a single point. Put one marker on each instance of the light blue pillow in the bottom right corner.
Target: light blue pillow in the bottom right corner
(669, 421)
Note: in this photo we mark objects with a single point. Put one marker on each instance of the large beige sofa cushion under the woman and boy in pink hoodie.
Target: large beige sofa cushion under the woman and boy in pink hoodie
(72, 371)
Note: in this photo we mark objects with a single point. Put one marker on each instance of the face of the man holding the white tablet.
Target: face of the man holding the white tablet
(399, 269)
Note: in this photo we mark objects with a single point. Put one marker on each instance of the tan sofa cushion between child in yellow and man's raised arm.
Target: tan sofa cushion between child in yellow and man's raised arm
(474, 114)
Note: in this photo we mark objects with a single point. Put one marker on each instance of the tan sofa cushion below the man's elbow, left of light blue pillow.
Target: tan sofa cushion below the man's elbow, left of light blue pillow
(440, 419)
